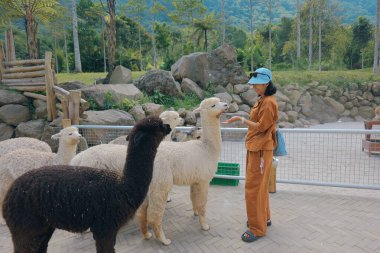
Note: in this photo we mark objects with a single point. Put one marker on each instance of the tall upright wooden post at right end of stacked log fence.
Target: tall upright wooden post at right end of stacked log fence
(50, 95)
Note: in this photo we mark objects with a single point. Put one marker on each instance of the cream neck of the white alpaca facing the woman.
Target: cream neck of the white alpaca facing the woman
(211, 134)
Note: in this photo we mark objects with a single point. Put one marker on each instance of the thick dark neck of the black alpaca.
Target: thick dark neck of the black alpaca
(136, 179)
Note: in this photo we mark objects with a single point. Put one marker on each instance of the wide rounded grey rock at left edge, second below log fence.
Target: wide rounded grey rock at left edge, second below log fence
(14, 114)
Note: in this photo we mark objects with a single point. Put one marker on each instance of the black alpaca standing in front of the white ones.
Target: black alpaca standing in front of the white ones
(75, 199)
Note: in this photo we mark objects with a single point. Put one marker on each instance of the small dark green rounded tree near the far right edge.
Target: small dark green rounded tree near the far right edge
(361, 35)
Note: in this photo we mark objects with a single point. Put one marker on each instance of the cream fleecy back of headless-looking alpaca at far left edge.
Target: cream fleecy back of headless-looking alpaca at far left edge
(10, 145)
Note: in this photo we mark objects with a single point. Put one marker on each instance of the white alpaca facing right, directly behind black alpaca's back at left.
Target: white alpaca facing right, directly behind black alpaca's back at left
(18, 162)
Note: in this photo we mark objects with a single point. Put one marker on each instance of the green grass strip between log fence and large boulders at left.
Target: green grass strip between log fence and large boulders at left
(89, 78)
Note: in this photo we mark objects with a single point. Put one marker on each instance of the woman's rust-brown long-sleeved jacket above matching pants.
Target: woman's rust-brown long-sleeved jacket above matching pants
(263, 136)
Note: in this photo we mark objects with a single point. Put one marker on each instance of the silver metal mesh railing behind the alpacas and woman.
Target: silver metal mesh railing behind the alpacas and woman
(325, 157)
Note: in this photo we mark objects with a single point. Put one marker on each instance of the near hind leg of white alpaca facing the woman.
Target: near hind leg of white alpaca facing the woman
(156, 208)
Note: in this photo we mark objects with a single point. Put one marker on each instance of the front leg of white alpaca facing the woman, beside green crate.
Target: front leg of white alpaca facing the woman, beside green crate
(200, 199)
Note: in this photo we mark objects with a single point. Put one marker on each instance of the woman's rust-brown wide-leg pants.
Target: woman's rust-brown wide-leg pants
(256, 190)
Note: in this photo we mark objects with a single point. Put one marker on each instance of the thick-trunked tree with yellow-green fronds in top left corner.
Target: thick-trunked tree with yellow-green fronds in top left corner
(32, 11)
